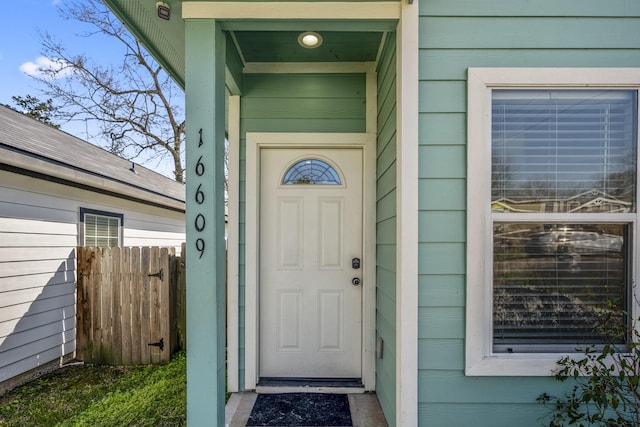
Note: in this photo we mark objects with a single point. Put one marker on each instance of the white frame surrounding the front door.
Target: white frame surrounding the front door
(255, 142)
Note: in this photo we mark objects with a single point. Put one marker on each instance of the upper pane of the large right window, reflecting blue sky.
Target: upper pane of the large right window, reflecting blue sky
(570, 151)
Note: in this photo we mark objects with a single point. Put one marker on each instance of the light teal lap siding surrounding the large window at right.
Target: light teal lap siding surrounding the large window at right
(456, 35)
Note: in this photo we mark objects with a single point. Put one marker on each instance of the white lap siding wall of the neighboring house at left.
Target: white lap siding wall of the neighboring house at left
(38, 237)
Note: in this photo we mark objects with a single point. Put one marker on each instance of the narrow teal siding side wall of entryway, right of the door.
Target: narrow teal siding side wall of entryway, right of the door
(386, 230)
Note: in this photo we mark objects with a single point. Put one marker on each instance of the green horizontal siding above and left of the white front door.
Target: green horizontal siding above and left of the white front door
(293, 103)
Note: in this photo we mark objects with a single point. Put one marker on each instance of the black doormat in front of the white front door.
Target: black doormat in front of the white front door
(301, 409)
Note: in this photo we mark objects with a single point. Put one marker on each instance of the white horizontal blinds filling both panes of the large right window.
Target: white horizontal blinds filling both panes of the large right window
(567, 152)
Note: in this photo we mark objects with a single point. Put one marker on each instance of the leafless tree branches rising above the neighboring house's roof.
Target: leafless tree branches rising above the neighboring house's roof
(132, 102)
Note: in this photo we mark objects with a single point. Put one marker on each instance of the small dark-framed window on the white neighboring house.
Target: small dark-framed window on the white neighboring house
(101, 229)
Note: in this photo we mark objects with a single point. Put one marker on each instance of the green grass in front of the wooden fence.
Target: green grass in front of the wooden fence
(90, 395)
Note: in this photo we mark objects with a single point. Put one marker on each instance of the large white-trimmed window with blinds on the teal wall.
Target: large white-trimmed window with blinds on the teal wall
(552, 178)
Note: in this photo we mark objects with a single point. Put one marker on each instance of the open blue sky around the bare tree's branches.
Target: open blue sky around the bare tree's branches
(20, 51)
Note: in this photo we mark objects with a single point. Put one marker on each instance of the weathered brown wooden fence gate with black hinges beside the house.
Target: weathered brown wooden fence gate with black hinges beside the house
(130, 307)
